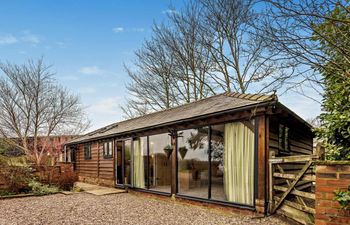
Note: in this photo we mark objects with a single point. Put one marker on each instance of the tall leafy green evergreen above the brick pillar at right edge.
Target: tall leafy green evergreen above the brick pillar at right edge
(334, 131)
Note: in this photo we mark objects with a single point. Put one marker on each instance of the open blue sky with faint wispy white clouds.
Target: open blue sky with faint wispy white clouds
(87, 43)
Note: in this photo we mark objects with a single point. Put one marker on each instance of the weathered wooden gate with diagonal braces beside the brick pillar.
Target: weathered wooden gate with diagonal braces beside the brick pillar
(292, 185)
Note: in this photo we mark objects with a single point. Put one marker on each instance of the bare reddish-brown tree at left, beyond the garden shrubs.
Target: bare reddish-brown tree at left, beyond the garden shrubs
(33, 106)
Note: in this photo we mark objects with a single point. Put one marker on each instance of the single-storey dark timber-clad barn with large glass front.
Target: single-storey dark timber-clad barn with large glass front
(214, 150)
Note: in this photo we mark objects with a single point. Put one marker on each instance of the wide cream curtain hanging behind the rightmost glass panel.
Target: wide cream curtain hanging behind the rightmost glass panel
(239, 163)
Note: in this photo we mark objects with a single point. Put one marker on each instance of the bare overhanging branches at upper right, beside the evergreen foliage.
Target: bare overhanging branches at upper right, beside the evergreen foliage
(289, 27)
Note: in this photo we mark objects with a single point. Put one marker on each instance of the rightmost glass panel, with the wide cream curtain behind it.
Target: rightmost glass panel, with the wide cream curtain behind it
(232, 162)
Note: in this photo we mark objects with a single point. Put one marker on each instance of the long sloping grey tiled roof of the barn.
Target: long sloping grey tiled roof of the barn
(214, 104)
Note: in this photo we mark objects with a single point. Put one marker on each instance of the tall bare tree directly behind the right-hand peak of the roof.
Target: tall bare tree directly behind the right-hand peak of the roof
(243, 60)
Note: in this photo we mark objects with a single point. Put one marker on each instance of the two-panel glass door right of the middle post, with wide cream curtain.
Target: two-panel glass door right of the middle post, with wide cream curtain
(223, 170)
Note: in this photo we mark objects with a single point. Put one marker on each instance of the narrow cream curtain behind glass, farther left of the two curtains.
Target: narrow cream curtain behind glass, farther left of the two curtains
(139, 172)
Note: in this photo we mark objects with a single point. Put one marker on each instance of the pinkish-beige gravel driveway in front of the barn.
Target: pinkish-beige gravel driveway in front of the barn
(83, 208)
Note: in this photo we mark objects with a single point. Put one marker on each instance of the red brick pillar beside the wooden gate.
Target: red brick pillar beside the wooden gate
(330, 178)
